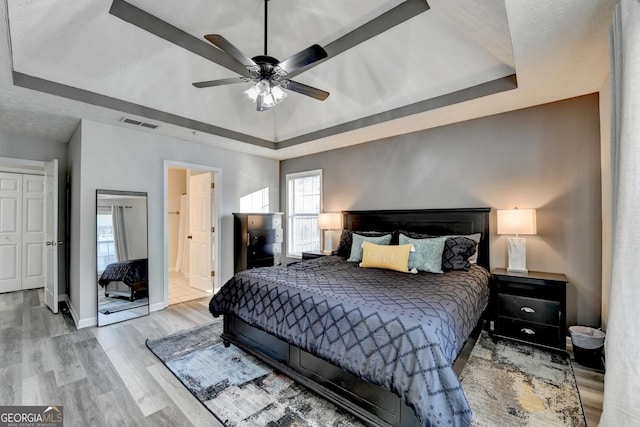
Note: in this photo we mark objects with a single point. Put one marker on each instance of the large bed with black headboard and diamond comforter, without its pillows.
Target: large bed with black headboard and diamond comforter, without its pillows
(378, 343)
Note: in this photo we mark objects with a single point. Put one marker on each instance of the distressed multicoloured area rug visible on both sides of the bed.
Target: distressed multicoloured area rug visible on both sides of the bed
(506, 384)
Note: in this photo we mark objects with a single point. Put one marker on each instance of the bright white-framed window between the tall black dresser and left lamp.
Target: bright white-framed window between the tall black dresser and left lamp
(304, 195)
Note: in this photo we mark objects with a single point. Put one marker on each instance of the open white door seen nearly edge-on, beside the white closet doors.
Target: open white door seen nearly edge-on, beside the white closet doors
(51, 235)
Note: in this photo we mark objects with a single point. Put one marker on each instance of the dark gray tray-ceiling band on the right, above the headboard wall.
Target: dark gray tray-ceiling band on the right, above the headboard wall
(478, 91)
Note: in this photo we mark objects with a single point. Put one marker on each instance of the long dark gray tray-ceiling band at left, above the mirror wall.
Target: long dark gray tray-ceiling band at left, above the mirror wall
(59, 89)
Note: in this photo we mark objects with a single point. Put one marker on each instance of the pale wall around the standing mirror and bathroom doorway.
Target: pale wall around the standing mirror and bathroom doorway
(117, 158)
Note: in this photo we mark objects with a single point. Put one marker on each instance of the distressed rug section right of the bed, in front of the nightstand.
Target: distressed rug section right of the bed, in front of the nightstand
(513, 384)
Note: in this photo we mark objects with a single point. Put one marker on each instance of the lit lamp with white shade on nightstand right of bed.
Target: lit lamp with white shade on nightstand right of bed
(517, 221)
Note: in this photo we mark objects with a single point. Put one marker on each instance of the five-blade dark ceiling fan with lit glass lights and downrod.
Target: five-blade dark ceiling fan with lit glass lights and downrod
(268, 74)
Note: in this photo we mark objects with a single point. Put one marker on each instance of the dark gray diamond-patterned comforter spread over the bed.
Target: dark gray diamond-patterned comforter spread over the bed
(402, 331)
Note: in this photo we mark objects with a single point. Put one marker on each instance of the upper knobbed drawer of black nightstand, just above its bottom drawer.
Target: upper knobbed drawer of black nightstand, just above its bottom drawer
(529, 309)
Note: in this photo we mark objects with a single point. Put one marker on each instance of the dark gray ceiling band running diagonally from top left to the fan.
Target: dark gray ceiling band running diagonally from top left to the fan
(164, 30)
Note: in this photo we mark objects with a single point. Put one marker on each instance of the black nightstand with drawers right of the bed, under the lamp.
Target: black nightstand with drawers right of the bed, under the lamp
(530, 307)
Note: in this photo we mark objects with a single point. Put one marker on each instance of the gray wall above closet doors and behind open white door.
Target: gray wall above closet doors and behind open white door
(20, 147)
